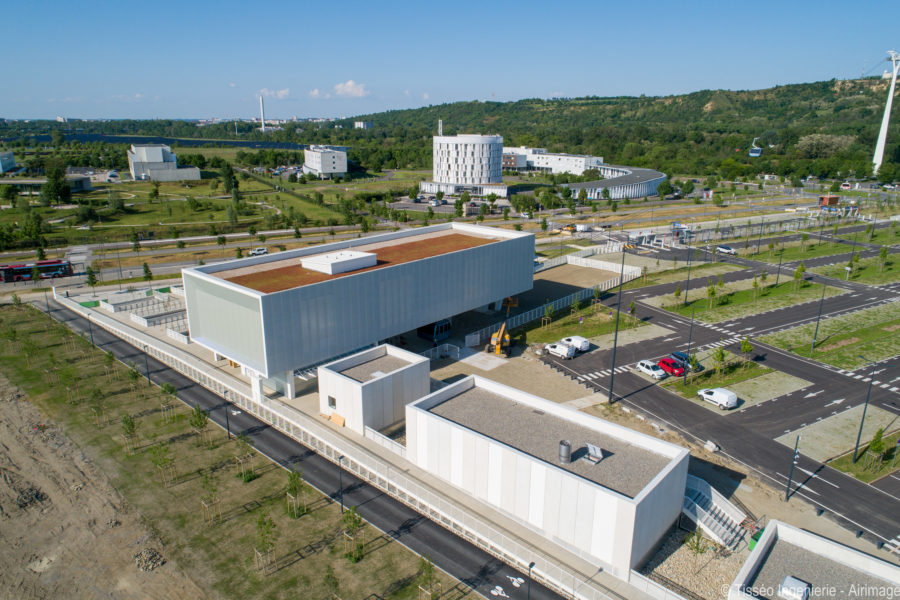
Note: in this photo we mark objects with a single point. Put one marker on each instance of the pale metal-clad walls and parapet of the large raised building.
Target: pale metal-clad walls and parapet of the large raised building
(303, 326)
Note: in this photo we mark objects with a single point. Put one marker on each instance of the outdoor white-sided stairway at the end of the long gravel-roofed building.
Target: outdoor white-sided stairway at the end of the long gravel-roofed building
(713, 513)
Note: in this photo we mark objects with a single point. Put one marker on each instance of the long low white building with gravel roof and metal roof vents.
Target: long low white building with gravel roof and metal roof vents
(609, 496)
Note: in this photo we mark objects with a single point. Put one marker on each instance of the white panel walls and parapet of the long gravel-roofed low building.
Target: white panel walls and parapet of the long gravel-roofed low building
(572, 511)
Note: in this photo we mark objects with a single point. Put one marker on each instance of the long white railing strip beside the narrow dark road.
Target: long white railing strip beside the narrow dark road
(371, 468)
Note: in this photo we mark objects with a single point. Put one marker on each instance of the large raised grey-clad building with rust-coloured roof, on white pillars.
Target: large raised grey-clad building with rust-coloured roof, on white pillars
(277, 315)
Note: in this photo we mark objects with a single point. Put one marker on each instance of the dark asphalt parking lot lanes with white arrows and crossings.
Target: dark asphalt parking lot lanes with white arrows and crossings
(746, 435)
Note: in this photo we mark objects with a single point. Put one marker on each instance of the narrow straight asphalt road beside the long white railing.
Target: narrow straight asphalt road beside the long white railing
(473, 567)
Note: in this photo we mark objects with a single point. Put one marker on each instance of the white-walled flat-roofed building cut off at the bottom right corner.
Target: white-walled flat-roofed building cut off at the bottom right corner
(821, 567)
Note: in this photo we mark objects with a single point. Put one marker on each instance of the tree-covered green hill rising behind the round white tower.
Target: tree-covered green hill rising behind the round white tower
(702, 132)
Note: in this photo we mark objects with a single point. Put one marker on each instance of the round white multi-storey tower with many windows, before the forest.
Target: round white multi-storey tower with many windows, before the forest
(467, 162)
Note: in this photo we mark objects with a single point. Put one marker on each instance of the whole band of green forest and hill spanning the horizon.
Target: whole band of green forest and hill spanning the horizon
(826, 129)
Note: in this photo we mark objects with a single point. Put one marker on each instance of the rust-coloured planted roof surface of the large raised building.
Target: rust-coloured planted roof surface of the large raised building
(293, 275)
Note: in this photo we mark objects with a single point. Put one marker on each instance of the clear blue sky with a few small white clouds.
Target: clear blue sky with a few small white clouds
(212, 59)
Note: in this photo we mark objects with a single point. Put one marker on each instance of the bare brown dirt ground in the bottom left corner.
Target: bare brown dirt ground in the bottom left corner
(66, 531)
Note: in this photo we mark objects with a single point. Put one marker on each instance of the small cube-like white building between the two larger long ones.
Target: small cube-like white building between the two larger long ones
(372, 388)
